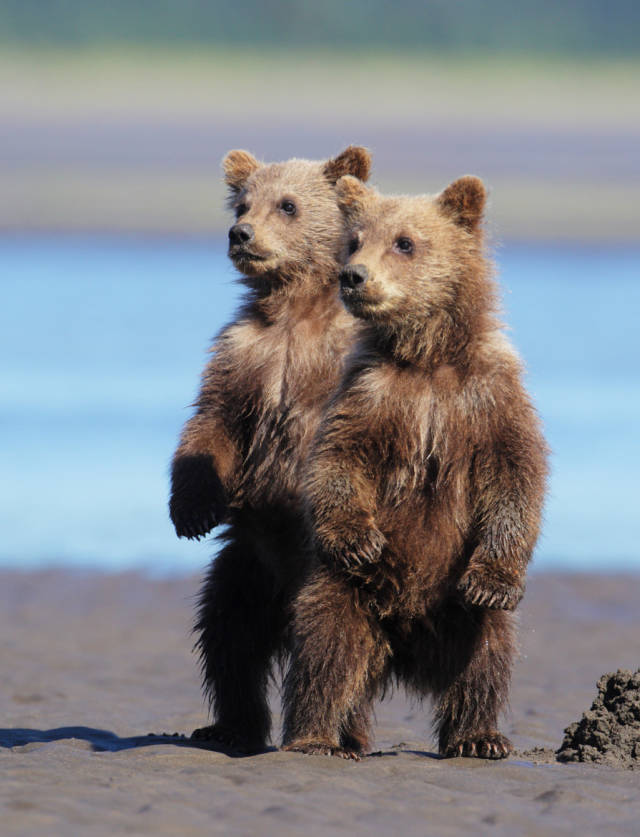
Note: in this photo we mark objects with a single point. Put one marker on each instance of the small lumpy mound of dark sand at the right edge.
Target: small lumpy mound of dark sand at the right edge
(610, 731)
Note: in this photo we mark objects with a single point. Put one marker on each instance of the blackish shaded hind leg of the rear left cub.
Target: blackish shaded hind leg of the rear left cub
(240, 629)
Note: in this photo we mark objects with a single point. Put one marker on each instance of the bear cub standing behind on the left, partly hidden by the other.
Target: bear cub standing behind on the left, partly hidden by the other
(262, 395)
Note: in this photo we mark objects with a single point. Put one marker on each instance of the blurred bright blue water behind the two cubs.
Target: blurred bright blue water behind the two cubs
(103, 341)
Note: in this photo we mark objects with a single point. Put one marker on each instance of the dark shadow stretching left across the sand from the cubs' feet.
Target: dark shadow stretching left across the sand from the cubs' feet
(105, 741)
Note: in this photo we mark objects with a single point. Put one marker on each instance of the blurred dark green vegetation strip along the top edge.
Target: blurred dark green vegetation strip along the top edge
(571, 26)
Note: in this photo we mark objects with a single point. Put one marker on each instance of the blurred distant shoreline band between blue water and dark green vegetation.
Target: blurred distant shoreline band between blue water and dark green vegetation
(131, 140)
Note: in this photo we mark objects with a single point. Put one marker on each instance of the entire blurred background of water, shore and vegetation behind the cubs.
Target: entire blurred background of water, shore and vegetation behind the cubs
(114, 117)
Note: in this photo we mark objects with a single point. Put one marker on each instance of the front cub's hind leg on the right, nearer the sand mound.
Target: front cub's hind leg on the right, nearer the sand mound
(472, 679)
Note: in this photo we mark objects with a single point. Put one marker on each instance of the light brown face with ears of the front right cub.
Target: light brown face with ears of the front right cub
(406, 256)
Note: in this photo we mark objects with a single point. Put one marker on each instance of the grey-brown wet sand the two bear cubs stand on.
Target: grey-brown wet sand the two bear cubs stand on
(92, 663)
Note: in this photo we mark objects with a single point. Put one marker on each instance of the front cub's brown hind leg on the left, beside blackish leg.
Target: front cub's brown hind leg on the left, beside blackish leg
(337, 661)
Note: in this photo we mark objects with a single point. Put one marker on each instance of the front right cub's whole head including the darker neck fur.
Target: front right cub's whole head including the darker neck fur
(415, 267)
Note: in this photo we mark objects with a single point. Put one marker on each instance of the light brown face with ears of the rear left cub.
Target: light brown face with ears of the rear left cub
(287, 221)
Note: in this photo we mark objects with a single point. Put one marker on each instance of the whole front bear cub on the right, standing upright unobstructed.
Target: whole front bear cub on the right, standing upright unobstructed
(425, 487)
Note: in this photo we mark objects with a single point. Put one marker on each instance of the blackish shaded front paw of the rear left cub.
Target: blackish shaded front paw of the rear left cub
(197, 501)
